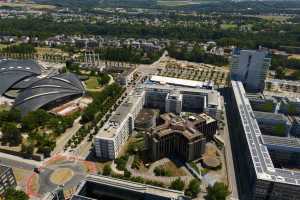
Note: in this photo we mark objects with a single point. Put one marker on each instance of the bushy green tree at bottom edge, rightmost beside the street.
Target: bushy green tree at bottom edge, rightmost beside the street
(219, 191)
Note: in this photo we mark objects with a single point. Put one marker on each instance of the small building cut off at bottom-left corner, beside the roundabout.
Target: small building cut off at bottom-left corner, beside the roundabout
(7, 179)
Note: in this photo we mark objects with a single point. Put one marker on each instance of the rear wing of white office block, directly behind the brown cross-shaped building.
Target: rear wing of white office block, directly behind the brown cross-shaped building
(184, 99)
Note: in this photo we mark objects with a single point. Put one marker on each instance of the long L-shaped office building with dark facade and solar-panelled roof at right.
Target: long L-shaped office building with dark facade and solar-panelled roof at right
(259, 178)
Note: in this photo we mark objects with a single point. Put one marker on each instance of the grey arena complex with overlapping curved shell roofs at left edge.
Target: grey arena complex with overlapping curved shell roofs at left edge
(34, 89)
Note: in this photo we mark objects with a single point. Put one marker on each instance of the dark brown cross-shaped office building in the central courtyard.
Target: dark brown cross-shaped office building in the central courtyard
(179, 136)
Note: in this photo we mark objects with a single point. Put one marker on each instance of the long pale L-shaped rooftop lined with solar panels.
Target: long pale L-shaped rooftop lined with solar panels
(261, 159)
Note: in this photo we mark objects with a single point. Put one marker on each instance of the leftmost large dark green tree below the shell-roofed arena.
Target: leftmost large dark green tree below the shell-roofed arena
(11, 133)
